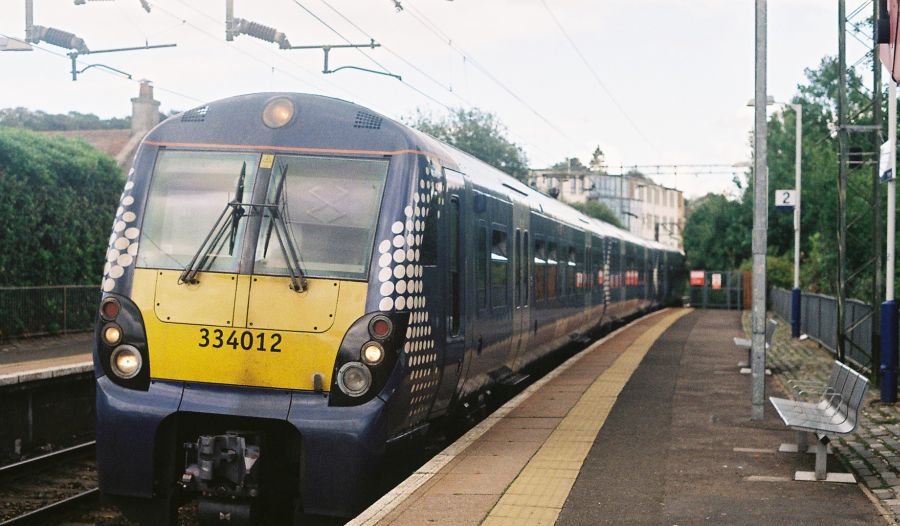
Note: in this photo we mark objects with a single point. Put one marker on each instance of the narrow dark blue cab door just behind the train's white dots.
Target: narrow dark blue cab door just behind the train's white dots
(453, 241)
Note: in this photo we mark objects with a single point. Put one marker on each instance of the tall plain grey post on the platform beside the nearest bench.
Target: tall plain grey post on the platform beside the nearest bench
(760, 223)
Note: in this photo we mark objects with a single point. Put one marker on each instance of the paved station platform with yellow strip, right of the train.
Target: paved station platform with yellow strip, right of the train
(648, 426)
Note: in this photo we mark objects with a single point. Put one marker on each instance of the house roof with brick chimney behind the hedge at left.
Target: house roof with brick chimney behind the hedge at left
(122, 144)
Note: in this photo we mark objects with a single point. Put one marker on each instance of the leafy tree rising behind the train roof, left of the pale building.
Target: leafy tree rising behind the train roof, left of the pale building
(477, 133)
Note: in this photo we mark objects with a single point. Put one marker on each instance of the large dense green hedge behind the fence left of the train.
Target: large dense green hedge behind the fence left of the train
(57, 200)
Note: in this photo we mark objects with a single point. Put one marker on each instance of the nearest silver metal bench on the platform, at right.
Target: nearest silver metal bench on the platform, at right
(835, 412)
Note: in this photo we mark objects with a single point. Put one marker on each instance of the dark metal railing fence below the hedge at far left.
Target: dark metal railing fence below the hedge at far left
(38, 311)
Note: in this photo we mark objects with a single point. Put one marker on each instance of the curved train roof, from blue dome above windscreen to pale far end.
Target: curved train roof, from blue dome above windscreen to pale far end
(326, 123)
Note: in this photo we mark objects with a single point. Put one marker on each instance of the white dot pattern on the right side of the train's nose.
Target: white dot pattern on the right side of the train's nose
(401, 288)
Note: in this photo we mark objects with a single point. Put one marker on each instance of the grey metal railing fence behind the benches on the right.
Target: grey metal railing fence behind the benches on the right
(818, 319)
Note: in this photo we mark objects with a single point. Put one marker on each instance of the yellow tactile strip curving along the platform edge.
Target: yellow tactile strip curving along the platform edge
(539, 492)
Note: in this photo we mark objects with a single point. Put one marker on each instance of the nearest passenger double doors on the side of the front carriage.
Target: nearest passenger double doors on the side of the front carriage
(522, 265)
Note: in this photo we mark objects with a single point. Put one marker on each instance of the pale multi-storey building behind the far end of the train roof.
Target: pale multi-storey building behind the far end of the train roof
(644, 208)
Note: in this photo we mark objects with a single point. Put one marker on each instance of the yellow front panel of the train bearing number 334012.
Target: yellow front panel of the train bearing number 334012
(249, 355)
